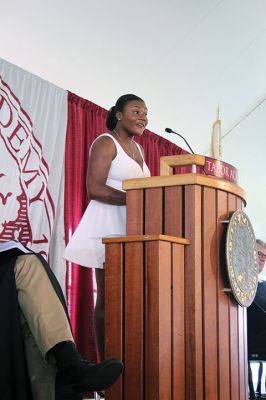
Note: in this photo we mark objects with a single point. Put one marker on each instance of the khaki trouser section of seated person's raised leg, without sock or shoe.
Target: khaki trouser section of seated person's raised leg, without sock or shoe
(40, 305)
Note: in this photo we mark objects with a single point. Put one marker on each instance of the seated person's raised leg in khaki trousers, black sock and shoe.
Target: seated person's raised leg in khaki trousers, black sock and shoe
(50, 328)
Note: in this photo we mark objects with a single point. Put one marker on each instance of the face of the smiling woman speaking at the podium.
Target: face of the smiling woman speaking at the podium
(133, 118)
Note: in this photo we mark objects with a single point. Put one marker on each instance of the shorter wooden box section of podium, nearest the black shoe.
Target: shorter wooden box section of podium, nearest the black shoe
(144, 316)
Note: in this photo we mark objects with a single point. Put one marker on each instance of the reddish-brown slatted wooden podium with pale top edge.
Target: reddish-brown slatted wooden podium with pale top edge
(169, 315)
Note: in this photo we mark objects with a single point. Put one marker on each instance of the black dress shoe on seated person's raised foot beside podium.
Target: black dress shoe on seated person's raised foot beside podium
(84, 376)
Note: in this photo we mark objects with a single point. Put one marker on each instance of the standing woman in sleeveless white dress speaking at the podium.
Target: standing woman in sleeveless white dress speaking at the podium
(114, 157)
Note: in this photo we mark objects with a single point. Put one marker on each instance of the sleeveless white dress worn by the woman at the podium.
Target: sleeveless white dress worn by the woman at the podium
(103, 220)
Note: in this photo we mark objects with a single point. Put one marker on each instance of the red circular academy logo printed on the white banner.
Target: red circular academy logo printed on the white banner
(24, 196)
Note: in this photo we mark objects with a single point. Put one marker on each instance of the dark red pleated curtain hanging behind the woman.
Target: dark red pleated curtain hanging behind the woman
(86, 120)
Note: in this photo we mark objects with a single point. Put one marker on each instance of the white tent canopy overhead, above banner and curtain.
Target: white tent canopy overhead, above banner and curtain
(183, 57)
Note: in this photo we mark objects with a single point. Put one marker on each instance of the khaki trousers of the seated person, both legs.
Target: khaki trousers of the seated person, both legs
(44, 323)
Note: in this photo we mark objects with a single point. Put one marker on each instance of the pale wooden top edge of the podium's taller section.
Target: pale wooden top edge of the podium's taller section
(182, 180)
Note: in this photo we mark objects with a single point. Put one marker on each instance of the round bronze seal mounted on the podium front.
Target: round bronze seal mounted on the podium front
(241, 258)
